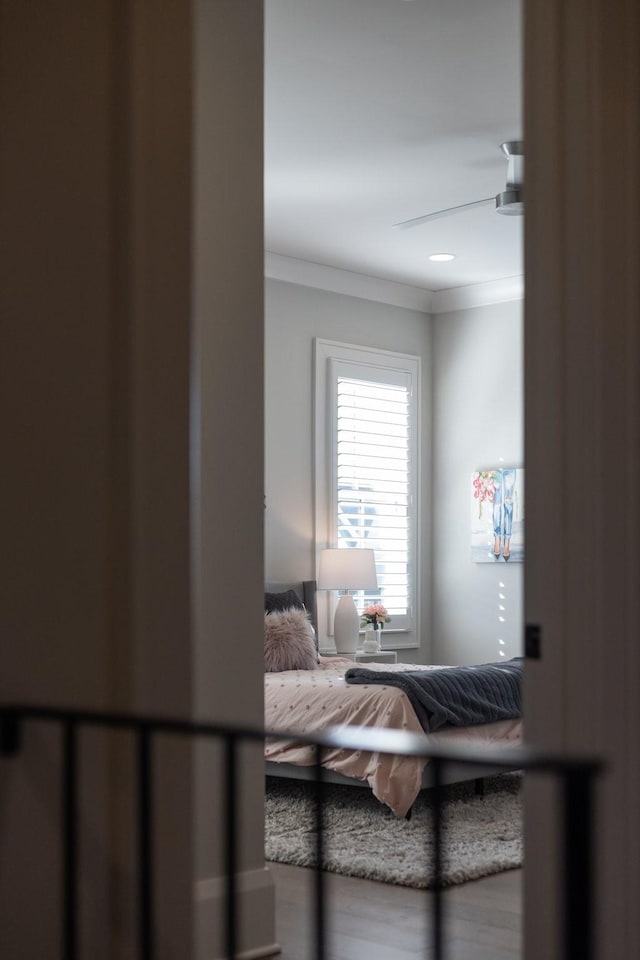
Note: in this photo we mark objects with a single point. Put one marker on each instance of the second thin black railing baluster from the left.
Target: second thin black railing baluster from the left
(145, 843)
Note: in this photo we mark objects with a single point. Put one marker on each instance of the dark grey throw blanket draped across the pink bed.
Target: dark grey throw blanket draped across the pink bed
(455, 696)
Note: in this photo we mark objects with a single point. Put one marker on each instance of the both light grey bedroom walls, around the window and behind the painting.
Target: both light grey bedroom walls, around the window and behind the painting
(472, 414)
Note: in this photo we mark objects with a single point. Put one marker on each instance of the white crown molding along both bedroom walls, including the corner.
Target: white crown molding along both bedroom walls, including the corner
(317, 275)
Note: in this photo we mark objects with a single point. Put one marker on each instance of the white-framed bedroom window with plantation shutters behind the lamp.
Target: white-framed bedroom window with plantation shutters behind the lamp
(366, 471)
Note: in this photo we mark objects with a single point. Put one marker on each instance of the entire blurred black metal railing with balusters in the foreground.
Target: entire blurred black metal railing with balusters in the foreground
(577, 774)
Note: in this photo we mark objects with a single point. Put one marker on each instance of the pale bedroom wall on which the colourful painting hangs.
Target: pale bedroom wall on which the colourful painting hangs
(477, 423)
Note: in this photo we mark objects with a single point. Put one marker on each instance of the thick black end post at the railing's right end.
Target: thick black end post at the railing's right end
(578, 865)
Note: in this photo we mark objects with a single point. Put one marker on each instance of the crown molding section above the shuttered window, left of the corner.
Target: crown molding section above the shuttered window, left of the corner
(308, 274)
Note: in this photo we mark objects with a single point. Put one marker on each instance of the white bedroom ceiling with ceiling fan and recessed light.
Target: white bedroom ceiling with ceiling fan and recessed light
(382, 110)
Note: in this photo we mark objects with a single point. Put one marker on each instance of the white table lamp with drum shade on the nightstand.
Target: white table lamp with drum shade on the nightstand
(347, 569)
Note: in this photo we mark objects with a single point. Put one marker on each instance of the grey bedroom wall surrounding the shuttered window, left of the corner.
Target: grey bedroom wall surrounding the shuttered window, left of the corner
(294, 316)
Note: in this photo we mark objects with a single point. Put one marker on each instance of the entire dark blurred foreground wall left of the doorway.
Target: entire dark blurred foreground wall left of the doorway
(114, 399)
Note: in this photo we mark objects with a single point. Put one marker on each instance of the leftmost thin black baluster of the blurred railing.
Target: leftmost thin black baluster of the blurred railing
(69, 834)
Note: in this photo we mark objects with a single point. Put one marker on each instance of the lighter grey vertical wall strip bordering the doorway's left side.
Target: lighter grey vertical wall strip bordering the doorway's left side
(228, 682)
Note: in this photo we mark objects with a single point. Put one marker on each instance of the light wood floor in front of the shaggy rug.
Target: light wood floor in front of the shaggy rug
(379, 921)
